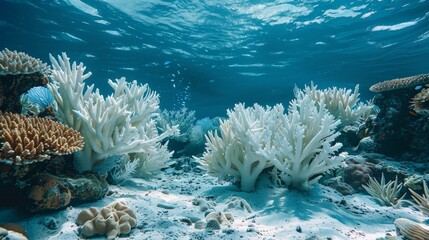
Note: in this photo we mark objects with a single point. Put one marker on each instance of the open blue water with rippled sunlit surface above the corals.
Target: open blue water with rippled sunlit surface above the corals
(209, 55)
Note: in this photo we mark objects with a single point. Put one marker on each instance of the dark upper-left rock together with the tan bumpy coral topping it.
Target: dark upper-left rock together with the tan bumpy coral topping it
(18, 73)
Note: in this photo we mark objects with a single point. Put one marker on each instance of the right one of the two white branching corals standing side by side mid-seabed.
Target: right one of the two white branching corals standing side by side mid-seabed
(302, 147)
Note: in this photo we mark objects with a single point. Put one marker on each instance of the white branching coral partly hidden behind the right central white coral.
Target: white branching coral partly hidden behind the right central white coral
(340, 102)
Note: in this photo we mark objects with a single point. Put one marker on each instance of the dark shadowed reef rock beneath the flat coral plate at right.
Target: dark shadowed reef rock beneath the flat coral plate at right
(398, 132)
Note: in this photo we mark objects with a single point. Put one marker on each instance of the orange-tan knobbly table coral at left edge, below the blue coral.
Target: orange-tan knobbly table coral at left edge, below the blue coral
(23, 139)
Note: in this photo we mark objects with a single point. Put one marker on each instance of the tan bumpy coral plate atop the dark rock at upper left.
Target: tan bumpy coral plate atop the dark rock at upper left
(13, 62)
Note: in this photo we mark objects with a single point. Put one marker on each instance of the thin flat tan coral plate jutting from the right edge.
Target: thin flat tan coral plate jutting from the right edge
(399, 83)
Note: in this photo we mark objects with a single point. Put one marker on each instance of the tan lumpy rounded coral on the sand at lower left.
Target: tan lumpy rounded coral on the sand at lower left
(111, 221)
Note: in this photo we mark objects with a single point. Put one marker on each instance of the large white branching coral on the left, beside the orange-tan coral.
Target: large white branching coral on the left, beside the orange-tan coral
(122, 123)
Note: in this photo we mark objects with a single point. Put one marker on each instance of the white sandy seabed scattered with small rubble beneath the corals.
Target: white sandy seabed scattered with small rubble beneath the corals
(277, 212)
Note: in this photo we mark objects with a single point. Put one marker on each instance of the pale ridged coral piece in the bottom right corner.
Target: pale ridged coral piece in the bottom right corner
(411, 230)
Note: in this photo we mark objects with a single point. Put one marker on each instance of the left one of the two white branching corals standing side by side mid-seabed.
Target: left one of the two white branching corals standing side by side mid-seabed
(236, 151)
